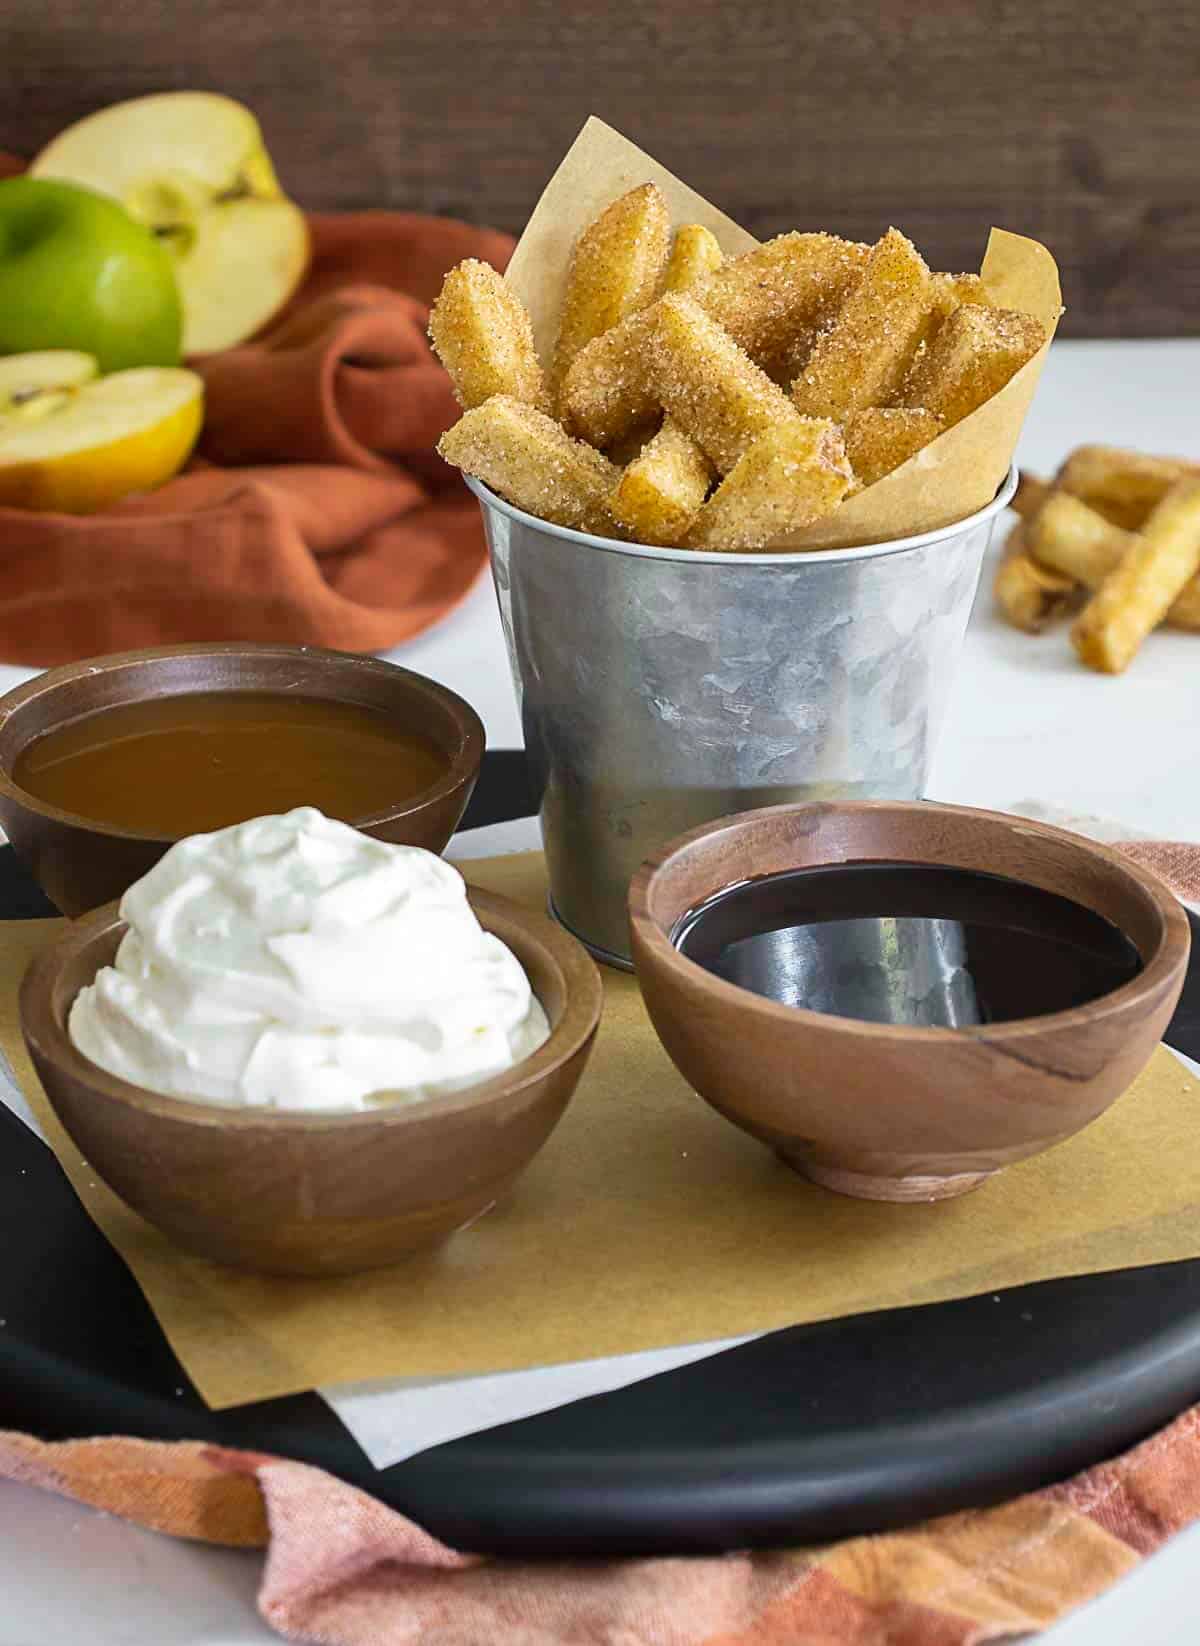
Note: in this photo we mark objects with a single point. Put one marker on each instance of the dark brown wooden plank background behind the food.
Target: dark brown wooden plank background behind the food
(1074, 121)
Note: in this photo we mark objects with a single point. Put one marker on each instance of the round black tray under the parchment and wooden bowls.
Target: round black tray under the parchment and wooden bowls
(807, 1434)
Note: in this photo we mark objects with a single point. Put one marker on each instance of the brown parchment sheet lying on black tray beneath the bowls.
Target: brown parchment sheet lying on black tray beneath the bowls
(648, 1221)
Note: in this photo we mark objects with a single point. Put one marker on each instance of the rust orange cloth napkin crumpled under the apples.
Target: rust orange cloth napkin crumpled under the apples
(317, 511)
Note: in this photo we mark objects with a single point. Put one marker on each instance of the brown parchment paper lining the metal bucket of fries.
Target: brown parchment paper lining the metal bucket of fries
(947, 481)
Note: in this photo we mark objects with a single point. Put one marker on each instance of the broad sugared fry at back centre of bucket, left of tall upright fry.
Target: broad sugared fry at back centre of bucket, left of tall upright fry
(766, 297)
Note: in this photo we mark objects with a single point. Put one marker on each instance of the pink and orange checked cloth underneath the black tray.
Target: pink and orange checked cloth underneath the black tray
(347, 1571)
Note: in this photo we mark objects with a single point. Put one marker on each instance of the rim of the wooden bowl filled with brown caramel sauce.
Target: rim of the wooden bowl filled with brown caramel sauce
(463, 766)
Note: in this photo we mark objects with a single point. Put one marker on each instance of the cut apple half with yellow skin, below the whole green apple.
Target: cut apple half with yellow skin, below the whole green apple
(75, 444)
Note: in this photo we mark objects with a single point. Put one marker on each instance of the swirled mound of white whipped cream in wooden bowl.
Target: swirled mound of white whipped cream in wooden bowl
(297, 964)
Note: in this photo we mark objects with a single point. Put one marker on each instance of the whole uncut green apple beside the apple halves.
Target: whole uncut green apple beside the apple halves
(78, 272)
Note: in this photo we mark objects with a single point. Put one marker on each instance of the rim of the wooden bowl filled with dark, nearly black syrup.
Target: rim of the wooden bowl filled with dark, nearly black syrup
(1158, 972)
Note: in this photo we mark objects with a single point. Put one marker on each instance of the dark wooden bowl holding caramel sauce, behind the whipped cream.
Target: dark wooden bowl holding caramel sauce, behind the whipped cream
(81, 863)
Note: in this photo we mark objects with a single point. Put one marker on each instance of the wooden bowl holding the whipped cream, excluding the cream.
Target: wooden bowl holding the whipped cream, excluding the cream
(314, 1194)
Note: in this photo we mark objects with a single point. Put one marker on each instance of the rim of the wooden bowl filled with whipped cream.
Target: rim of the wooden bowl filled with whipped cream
(582, 1011)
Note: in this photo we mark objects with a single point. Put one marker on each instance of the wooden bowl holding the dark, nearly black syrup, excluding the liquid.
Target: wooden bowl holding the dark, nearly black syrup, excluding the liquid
(903, 1114)
